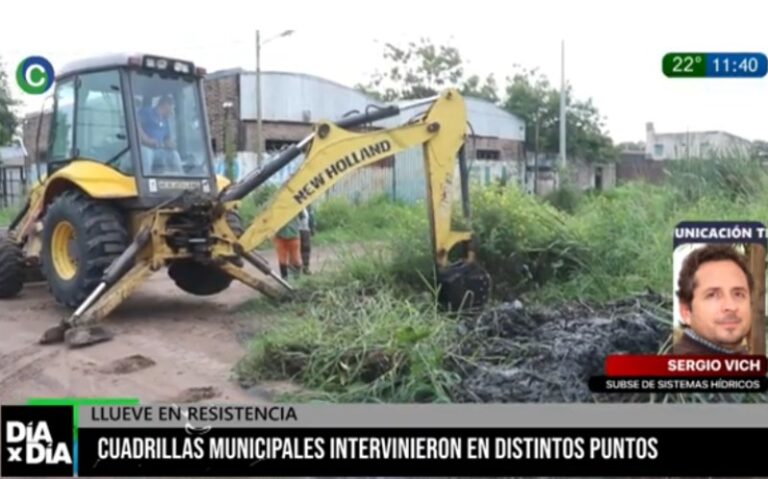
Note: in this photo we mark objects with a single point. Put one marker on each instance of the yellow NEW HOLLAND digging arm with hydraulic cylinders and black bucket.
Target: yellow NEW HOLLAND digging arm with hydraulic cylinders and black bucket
(333, 151)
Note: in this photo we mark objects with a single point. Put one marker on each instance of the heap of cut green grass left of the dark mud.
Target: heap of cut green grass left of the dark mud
(351, 344)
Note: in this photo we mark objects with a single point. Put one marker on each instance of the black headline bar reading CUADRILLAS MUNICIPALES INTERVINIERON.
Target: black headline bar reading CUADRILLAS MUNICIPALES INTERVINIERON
(418, 451)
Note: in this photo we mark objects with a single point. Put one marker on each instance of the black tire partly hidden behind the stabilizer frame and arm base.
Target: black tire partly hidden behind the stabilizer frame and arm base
(202, 279)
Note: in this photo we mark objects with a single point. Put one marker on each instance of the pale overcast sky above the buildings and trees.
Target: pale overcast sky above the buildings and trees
(613, 49)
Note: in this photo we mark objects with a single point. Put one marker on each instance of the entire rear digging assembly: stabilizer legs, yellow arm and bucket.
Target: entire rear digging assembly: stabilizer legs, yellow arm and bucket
(332, 152)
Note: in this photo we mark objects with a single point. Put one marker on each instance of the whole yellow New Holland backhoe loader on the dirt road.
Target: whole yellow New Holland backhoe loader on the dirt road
(129, 187)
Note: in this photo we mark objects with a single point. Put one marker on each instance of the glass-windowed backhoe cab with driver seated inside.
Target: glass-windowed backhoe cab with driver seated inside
(139, 115)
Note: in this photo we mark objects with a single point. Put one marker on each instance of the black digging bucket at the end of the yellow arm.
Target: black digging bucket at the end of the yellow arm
(463, 286)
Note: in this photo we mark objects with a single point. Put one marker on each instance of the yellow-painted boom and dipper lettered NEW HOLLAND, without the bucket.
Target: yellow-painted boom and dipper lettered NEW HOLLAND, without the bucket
(335, 153)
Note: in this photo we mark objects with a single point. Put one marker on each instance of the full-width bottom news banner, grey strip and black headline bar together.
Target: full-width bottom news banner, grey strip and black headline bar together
(385, 440)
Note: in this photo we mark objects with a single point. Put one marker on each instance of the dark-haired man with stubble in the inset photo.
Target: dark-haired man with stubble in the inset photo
(715, 289)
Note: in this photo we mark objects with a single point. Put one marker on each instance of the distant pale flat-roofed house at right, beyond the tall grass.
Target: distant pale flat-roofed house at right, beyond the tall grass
(693, 144)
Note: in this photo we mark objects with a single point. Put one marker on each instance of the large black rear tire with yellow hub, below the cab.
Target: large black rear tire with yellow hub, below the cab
(100, 236)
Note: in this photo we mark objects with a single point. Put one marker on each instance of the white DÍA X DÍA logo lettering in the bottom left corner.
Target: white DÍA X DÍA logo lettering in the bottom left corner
(32, 443)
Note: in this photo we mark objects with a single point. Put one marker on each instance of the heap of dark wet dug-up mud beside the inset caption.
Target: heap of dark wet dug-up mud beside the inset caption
(513, 353)
